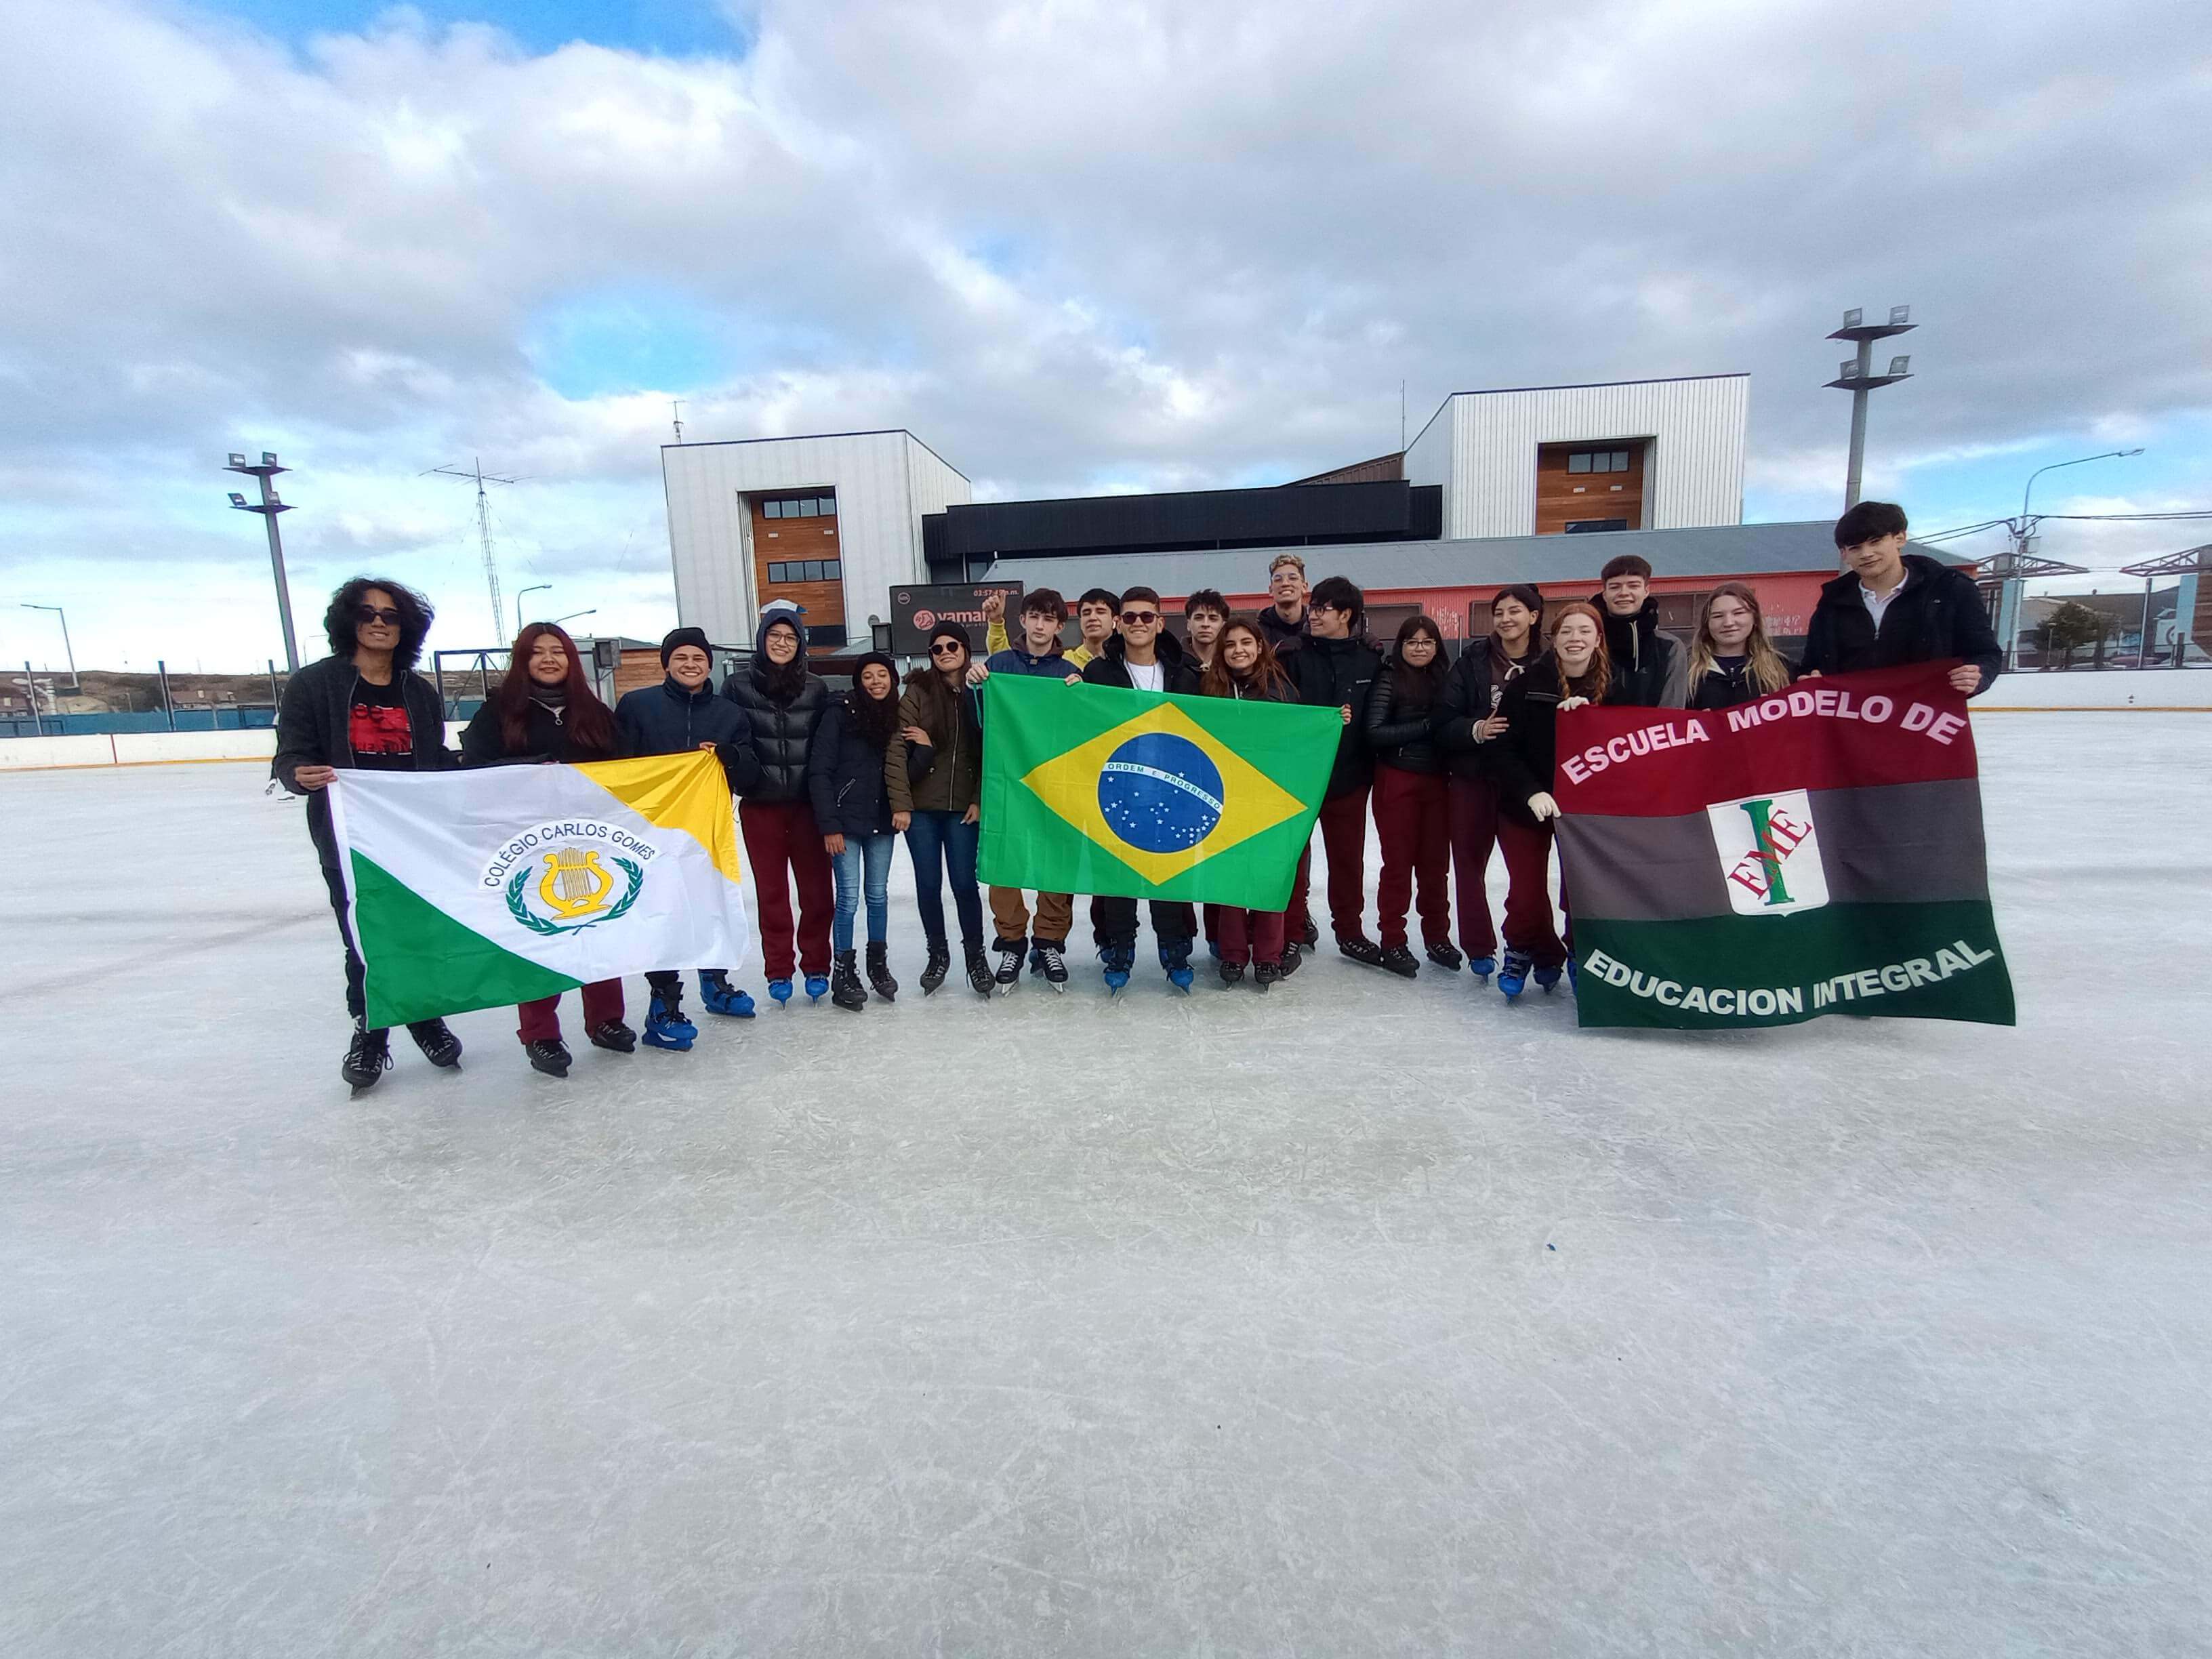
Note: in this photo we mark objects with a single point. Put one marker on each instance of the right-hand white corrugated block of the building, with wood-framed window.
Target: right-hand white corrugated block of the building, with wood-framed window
(1519, 463)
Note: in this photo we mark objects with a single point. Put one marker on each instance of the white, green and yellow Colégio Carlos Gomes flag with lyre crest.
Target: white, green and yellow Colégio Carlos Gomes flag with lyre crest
(497, 886)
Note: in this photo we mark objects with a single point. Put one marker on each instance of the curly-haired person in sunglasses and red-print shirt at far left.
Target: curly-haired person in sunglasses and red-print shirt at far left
(364, 709)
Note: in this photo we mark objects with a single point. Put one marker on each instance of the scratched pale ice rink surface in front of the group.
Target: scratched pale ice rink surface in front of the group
(1359, 1319)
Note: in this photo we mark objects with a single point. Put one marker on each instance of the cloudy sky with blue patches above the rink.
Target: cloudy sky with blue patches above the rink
(1074, 247)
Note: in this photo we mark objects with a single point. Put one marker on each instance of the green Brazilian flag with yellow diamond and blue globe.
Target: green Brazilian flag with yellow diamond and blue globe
(1107, 791)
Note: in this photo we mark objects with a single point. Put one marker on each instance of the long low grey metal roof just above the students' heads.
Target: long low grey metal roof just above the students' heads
(1492, 561)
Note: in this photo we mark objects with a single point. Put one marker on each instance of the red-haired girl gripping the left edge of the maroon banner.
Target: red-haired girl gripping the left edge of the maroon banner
(1572, 674)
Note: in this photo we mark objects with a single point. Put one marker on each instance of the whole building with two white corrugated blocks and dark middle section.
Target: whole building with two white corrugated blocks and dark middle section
(839, 523)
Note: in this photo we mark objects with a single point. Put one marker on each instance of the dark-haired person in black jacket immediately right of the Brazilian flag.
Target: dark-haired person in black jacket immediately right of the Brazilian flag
(1335, 667)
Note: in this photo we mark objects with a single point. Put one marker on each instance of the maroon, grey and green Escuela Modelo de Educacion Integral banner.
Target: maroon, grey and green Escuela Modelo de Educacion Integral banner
(1813, 853)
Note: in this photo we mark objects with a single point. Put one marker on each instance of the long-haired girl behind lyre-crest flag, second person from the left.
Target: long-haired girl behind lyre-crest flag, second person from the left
(545, 711)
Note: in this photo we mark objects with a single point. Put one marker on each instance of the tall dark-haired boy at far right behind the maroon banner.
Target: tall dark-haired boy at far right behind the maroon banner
(1895, 607)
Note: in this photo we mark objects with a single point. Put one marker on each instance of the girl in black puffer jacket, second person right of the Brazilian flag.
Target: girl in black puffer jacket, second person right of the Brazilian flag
(1410, 797)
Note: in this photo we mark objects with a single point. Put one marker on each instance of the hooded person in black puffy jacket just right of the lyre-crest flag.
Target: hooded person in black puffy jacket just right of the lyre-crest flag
(784, 705)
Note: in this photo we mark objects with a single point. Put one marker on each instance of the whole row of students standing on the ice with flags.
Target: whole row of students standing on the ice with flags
(1450, 758)
